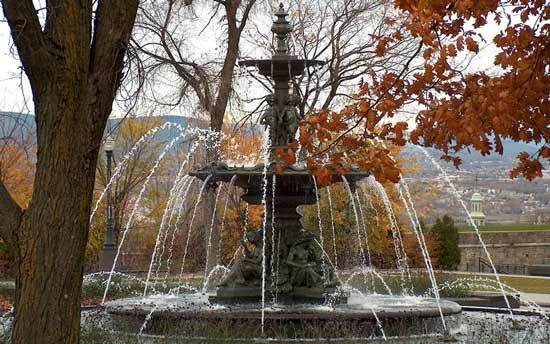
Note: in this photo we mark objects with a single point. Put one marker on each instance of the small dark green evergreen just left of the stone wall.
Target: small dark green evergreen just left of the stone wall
(446, 236)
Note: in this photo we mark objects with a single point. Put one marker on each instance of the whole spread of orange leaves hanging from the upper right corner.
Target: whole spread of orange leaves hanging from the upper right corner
(458, 109)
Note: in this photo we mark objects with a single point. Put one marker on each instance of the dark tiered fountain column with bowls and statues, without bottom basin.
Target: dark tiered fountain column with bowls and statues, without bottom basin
(298, 271)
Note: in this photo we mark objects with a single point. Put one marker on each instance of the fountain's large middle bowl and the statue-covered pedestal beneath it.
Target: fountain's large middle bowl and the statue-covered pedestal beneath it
(281, 261)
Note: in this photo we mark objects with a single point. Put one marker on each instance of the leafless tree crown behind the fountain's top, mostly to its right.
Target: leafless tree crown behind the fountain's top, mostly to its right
(344, 35)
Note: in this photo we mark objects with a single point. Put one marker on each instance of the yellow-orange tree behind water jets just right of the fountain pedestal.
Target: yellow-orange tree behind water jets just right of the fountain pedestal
(351, 241)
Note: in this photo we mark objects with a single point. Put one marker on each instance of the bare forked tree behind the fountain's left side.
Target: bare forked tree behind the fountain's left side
(162, 37)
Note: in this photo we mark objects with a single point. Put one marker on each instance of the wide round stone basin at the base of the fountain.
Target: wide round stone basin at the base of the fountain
(193, 316)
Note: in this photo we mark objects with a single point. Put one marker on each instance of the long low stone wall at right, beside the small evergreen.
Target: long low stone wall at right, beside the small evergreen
(511, 252)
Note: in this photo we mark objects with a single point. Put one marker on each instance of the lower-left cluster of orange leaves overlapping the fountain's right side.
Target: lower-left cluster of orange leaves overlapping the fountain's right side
(338, 143)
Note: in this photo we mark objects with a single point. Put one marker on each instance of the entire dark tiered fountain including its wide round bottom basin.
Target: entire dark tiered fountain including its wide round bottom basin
(283, 284)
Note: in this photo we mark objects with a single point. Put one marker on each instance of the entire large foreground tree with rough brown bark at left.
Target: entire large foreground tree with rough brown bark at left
(73, 57)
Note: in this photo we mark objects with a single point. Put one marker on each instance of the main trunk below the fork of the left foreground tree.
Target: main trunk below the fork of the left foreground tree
(52, 239)
